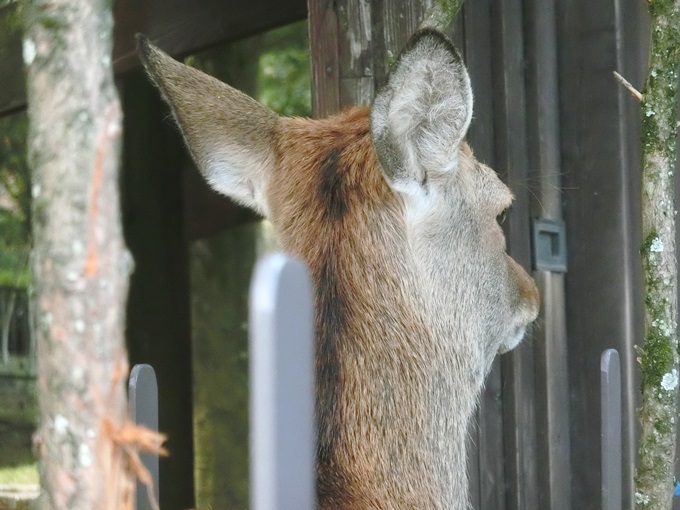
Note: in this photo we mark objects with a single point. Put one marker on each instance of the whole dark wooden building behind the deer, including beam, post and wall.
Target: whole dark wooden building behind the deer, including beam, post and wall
(549, 117)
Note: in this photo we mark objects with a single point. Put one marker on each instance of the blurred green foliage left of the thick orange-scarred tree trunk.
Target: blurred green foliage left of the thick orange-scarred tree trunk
(15, 202)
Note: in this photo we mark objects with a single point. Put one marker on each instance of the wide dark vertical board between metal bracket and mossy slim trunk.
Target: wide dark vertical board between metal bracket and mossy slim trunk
(600, 157)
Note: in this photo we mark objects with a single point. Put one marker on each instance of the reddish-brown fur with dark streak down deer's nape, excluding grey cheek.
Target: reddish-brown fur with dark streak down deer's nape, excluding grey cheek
(328, 186)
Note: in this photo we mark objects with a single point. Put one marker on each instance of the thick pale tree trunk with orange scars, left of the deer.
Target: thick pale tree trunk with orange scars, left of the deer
(79, 264)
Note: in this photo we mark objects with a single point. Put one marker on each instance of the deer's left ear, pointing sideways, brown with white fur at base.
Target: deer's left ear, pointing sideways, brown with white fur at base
(230, 135)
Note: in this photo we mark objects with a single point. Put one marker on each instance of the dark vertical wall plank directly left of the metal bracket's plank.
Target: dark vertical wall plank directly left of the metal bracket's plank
(512, 163)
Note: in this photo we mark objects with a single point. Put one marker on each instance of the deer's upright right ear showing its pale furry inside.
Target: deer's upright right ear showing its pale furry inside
(420, 117)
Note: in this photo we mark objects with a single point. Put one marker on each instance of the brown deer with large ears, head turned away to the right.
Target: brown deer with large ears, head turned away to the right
(398, 222)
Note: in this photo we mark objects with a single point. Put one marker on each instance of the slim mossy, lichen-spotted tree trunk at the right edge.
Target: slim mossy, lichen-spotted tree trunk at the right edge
(658, 356)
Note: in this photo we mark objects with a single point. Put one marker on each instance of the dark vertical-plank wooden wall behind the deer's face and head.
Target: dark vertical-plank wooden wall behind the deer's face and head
(555, 125)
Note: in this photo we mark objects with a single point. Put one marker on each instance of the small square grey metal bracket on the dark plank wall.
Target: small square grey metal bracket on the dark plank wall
(549, 242)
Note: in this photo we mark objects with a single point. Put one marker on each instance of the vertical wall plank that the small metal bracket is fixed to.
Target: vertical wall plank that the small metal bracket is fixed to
(550, 335)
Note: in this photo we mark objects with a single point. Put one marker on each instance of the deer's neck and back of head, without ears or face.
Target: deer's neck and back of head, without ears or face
(391, 414)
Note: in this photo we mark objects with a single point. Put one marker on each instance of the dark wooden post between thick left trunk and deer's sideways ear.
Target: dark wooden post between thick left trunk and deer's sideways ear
(158, 329)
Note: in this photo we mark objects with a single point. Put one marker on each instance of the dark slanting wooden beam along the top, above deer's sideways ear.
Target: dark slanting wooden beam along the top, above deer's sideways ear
(179, 27)
